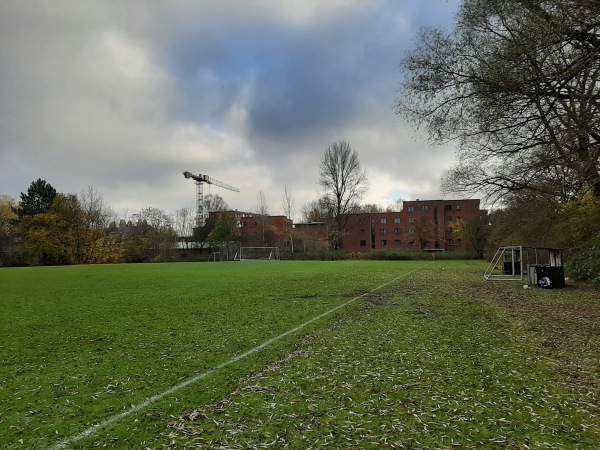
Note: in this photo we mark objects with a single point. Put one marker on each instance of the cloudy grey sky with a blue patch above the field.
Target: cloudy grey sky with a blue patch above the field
(124, 95)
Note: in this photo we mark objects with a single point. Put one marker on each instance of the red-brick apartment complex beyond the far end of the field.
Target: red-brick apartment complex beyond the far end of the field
(421, 225)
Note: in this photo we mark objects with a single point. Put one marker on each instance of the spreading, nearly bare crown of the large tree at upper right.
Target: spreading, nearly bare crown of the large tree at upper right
(517, 86)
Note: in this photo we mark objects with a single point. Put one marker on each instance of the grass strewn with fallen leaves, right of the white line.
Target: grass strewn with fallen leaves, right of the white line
(433, 362)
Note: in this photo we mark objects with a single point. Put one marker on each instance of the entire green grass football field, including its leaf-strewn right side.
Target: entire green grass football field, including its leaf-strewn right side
(417, 355)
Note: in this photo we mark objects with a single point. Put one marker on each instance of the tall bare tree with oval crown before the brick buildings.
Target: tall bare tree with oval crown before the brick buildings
(344, 181)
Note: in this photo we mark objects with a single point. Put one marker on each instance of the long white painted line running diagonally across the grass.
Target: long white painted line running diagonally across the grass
(135, 408)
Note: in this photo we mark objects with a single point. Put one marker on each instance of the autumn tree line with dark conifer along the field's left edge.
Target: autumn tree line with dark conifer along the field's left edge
(46, 227)
